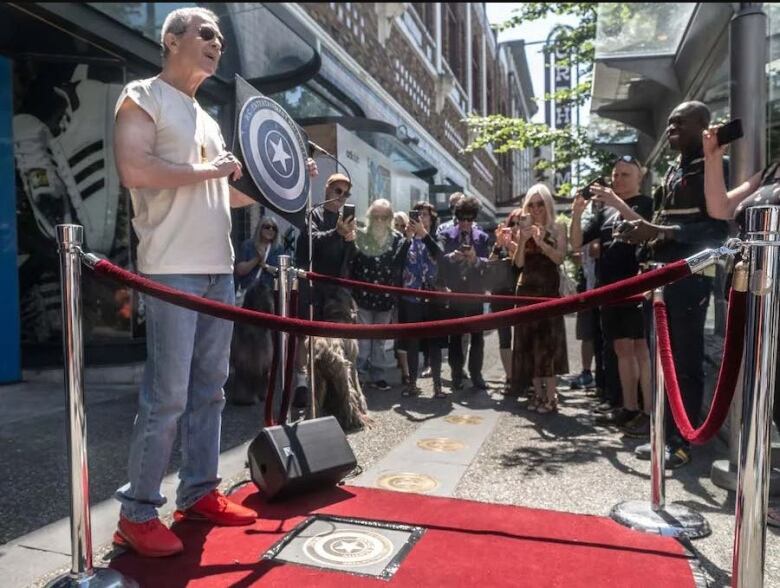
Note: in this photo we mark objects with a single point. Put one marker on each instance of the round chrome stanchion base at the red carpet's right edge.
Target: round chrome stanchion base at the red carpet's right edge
(674, 520)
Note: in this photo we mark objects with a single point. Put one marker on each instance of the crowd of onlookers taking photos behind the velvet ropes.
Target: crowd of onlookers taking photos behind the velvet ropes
(615, 232)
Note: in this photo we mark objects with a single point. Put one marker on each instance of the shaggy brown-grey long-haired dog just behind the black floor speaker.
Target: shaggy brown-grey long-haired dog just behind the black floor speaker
(335, 370)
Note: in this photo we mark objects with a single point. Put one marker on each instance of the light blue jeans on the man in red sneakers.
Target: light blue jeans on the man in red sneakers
(187, 362)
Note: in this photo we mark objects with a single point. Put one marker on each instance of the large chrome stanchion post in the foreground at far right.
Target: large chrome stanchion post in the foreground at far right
(763, 241)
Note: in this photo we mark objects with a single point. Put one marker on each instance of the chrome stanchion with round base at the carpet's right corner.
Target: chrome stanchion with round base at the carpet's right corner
(673, 520)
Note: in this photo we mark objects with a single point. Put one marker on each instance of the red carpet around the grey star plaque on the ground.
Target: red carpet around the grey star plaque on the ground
(465, 544)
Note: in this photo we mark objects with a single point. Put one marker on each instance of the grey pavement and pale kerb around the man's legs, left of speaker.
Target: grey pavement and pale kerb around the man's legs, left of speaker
(34, 486)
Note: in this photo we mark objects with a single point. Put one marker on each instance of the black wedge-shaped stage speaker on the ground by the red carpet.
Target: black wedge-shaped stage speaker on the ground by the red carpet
(308, 455)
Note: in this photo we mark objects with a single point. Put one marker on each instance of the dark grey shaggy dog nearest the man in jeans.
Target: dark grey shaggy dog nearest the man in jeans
(251, 351)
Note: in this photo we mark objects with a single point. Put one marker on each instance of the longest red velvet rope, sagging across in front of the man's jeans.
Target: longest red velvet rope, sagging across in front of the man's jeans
(601, 296)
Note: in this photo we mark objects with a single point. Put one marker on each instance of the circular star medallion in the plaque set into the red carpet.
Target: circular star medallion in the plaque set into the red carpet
(348, 548)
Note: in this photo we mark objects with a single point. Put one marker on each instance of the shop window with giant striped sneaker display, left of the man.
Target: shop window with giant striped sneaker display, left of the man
(65, 170)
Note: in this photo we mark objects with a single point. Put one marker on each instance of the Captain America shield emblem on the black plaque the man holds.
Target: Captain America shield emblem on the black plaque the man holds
(274, 152)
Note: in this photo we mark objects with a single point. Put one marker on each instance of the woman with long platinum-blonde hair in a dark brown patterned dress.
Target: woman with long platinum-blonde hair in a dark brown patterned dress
(539, 351)
